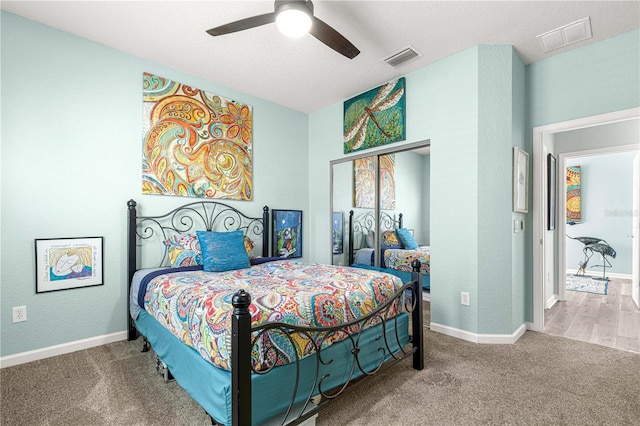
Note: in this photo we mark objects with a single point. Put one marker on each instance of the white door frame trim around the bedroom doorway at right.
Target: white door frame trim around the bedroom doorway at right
(539, 197)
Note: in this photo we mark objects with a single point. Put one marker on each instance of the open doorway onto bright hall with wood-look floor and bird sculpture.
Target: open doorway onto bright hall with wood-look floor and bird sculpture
(596, 310)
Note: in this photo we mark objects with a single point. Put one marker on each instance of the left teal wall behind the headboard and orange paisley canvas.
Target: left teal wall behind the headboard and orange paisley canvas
(71, 158)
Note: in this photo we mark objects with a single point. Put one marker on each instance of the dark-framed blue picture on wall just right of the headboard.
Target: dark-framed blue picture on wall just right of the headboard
(287, 233)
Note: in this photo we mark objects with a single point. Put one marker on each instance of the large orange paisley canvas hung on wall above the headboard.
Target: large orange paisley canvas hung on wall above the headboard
(195, 144)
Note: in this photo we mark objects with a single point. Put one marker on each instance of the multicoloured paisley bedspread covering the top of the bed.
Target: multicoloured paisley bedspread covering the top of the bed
(196, 306)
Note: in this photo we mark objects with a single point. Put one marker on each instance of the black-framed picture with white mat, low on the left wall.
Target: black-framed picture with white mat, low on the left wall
(66, 263)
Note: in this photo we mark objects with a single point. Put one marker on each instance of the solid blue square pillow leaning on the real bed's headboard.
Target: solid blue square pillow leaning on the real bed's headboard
(223, 251)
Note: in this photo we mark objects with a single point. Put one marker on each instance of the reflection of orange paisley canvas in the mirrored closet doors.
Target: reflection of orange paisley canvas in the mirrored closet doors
(364, 175)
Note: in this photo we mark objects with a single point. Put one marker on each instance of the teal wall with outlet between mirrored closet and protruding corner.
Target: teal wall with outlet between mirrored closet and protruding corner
(449, 118)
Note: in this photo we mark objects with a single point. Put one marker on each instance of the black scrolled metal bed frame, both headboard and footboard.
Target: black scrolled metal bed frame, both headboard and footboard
(244, 336)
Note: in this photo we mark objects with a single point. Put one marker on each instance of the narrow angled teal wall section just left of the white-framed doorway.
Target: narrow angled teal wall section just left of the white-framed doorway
(499, 68)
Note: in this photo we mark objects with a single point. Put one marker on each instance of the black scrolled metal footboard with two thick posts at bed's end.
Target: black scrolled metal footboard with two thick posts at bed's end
(316, 397)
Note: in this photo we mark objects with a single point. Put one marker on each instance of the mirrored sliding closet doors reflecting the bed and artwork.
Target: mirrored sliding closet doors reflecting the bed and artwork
(374, 194)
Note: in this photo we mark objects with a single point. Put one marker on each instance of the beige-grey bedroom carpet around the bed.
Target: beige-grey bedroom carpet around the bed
(540, 380)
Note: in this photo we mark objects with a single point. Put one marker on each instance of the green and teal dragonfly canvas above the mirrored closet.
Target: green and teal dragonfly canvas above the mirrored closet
(376, 117)
